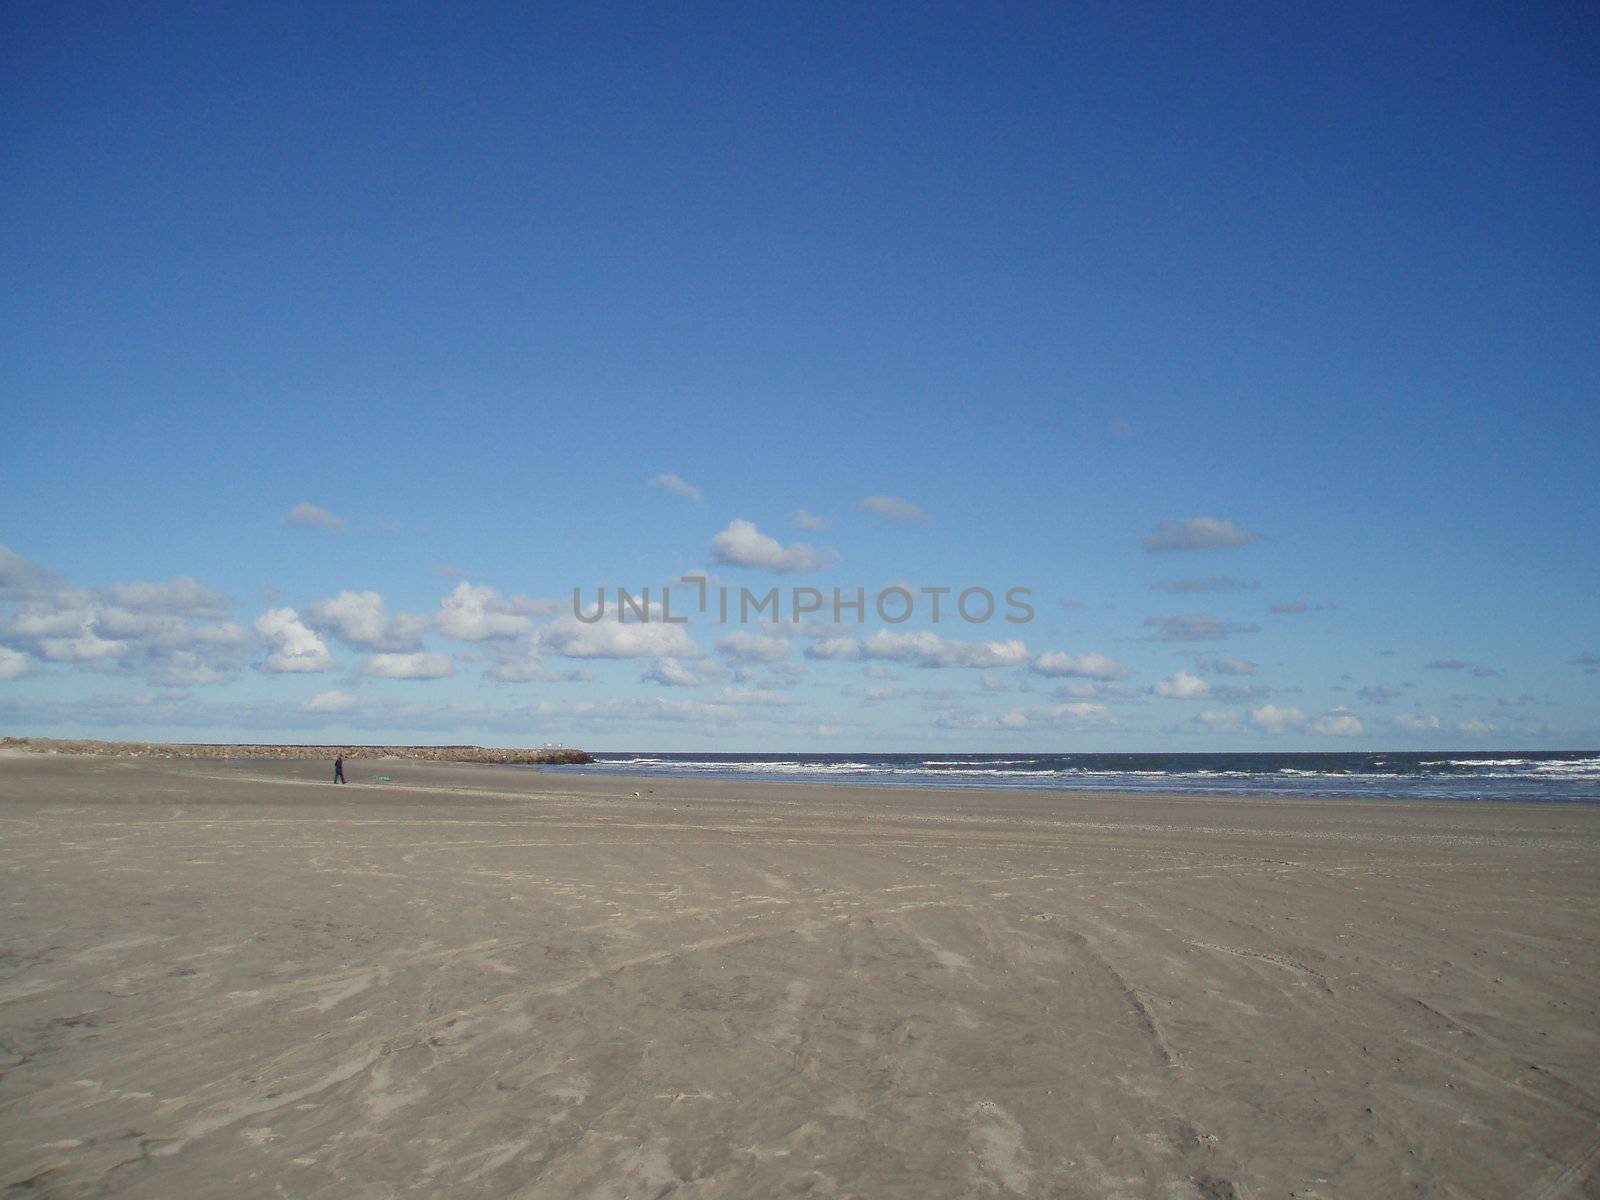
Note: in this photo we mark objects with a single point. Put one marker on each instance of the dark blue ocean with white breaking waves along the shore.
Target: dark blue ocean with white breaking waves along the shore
(1553, 777)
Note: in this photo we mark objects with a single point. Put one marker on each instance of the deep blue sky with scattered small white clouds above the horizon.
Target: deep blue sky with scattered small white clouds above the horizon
(466, 282)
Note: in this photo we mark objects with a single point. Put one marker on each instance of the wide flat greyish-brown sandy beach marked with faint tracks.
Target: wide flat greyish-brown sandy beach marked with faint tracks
(231, 980)
